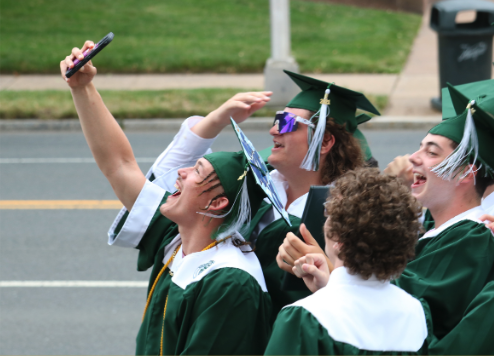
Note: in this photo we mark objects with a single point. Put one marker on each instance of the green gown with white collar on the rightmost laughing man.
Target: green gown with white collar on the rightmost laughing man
(453, 264)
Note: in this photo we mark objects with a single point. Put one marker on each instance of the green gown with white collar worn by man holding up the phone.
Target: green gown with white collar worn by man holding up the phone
(216, 301)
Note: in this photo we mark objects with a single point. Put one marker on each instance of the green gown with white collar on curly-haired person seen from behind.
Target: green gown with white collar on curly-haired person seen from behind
(352, 316)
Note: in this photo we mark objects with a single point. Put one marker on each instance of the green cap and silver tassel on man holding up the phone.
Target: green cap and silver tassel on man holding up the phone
(241, 190)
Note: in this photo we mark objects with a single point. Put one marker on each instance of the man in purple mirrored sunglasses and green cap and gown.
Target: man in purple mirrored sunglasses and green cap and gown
(316, 139)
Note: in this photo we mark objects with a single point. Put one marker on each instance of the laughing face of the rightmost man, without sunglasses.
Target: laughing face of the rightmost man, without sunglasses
(430, 190)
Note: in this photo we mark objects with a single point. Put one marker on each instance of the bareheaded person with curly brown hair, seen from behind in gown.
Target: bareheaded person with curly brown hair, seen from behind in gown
(356, 310)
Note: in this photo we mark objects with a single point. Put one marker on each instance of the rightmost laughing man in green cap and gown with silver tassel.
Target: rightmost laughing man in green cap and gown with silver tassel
(455, 260)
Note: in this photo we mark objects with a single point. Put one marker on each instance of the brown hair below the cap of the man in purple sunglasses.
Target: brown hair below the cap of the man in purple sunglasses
(344, 156)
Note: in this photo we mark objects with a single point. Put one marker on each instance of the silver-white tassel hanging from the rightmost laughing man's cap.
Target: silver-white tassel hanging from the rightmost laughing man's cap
(448, 169)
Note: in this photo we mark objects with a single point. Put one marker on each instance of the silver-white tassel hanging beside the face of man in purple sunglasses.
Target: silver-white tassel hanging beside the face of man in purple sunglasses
(312, 158)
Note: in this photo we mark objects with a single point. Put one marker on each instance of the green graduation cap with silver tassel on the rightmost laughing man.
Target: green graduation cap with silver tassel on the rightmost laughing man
(472, 128)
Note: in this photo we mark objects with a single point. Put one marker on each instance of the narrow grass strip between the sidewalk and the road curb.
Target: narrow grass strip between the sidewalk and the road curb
(128, 104)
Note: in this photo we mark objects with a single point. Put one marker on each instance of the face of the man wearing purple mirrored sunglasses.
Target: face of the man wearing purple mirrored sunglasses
(290, 148)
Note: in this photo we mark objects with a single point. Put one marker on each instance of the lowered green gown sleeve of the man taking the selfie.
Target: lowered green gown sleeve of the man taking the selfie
(228, 313)
